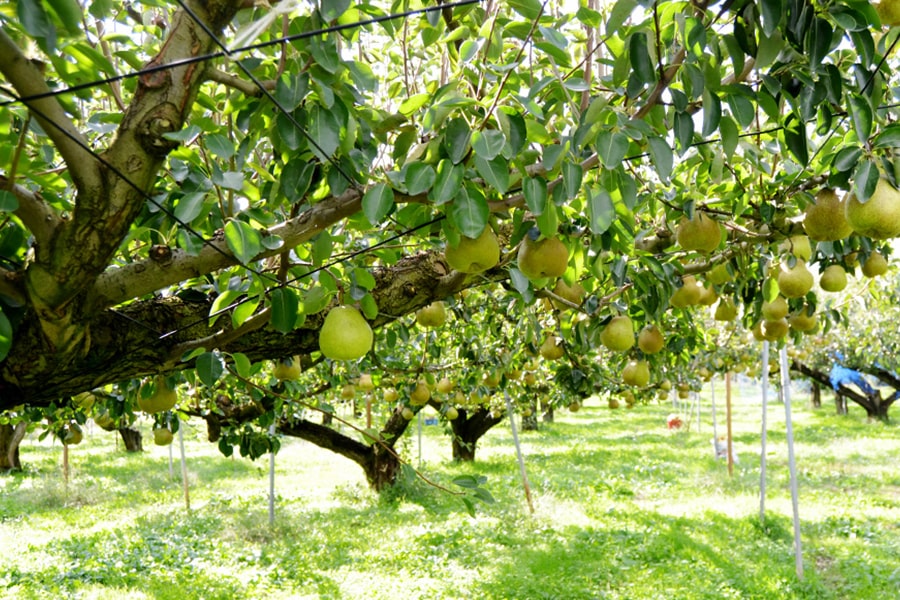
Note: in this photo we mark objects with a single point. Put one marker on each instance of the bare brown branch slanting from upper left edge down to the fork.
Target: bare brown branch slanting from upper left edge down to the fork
(27, 79)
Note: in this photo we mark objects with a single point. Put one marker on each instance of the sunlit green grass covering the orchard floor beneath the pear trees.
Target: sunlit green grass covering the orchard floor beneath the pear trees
(624, 508)
